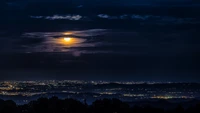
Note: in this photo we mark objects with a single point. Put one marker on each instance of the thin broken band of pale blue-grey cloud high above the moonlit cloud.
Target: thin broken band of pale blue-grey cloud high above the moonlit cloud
(154, 19)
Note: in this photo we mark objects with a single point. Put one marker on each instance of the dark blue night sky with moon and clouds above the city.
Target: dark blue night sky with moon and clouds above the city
(130, 40)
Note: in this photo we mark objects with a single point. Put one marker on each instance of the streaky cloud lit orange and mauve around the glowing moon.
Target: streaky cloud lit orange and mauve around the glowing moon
(53, 41)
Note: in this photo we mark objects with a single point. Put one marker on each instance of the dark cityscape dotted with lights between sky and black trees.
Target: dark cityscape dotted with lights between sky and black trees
(25, 91)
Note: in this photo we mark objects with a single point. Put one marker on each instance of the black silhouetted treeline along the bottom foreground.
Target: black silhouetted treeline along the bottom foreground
(55, 105)
